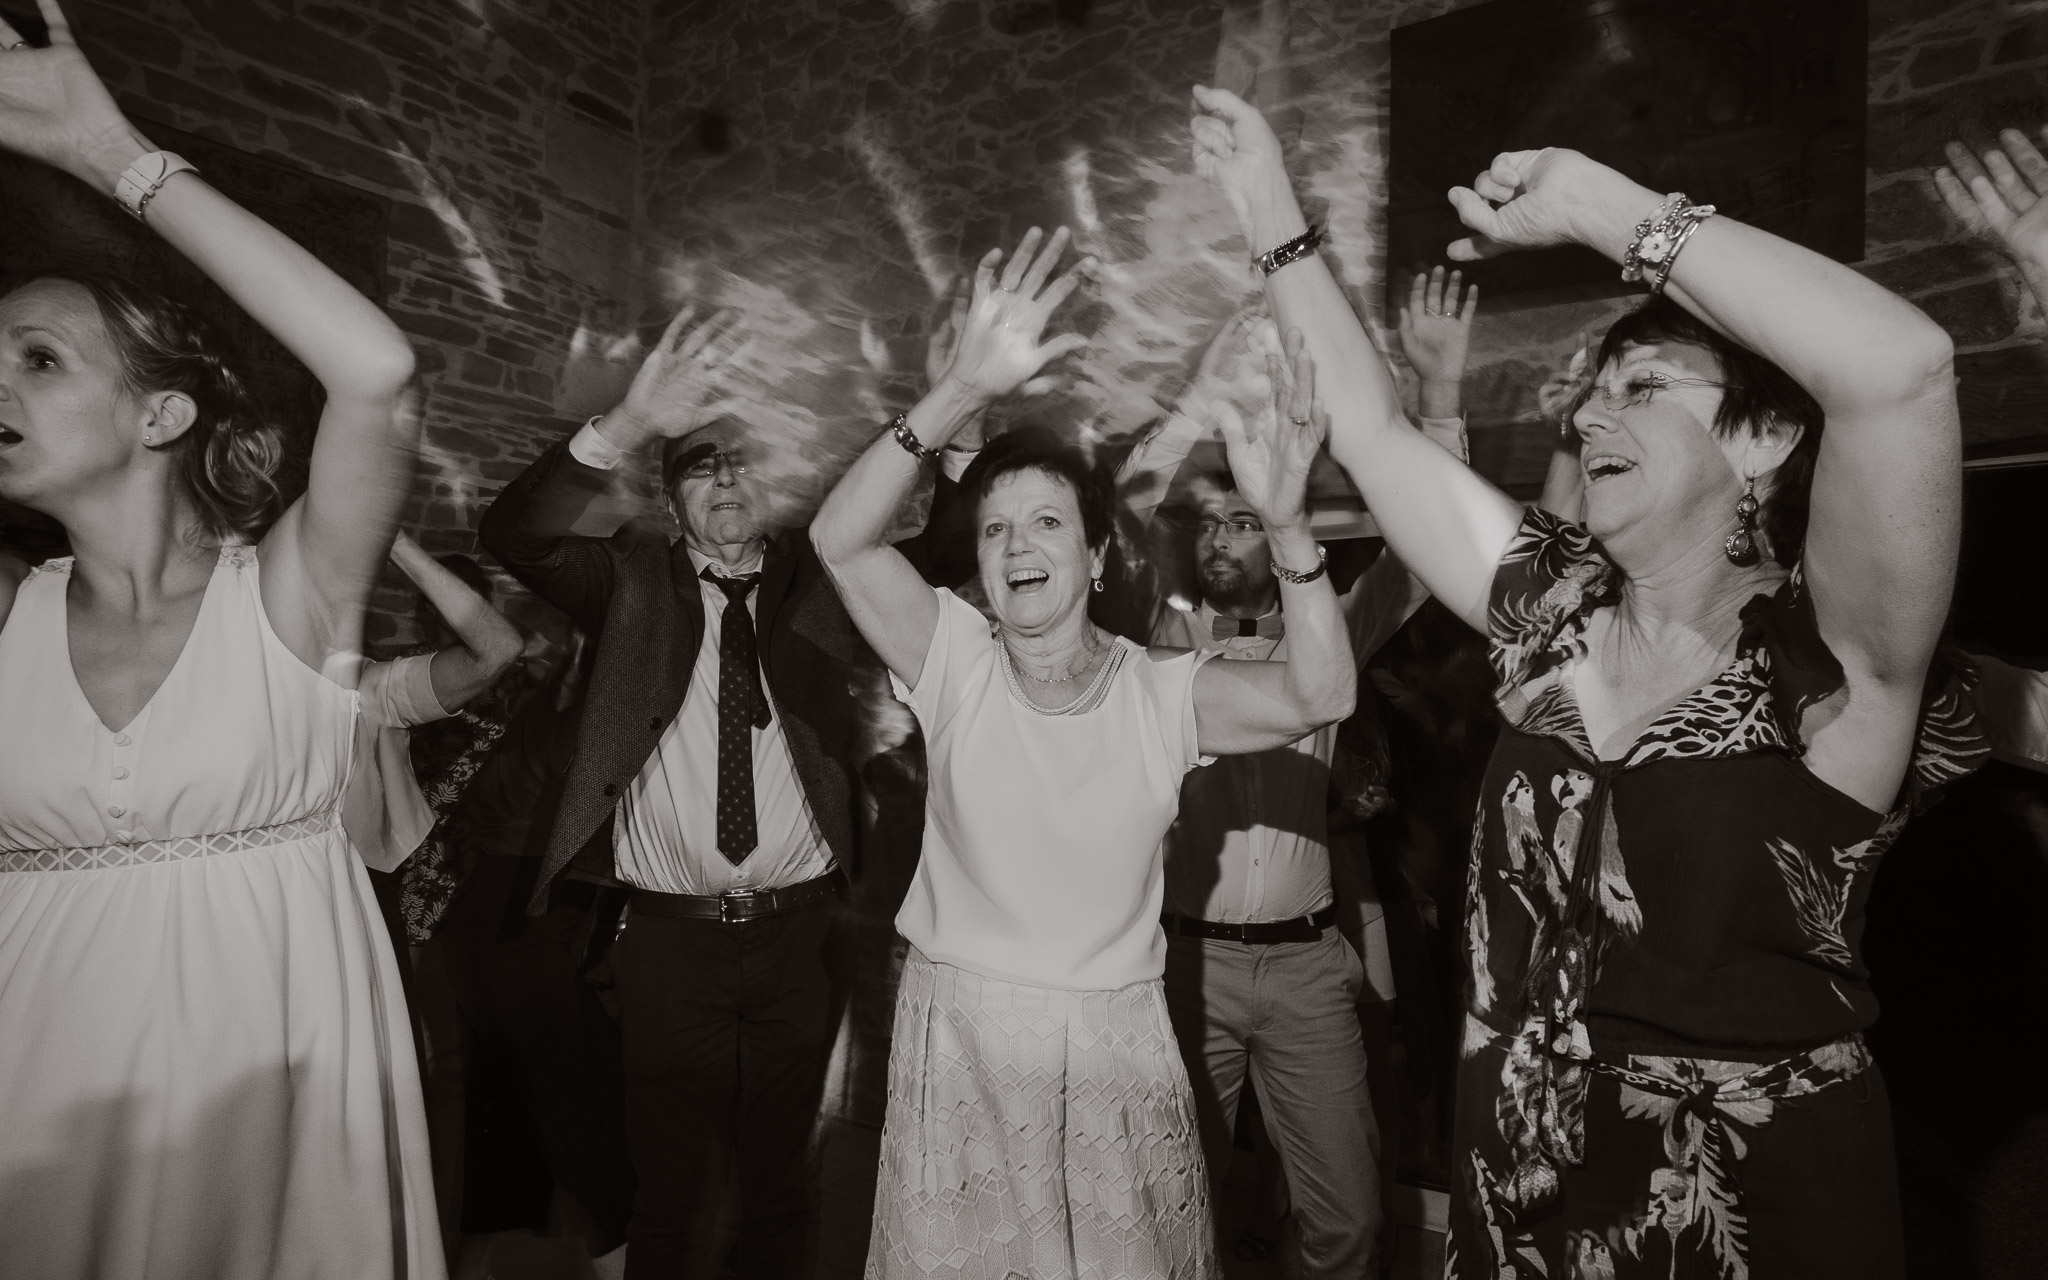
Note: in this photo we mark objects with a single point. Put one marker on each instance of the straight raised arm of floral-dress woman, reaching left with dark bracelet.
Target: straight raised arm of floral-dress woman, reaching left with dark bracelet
(1445, 523)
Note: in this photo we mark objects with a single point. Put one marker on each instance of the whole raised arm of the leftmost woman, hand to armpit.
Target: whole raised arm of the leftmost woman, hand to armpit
(323, 558)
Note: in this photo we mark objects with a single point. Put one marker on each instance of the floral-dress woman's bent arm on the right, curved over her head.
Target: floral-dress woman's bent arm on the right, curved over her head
(1887, 488)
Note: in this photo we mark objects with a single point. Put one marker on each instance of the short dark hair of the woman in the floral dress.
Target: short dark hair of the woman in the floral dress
(1756, 392)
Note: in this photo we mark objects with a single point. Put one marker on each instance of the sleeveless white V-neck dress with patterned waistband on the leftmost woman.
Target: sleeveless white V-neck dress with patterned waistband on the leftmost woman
(206, 1066)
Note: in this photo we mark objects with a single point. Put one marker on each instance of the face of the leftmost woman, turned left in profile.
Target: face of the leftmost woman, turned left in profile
(67, 411)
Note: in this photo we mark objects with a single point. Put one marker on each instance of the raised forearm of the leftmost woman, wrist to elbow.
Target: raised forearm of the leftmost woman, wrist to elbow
(341, 337)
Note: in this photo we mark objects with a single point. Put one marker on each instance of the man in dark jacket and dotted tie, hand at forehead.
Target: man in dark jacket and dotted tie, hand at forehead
(716, 775)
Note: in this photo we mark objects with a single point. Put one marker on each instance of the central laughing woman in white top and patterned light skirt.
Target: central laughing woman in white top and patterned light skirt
(1039, 1117)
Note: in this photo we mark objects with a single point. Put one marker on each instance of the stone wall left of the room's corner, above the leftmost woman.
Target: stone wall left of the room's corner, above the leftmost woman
(503, 134)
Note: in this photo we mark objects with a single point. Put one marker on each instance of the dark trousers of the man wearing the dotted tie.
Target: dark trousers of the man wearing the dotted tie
(728, 1029)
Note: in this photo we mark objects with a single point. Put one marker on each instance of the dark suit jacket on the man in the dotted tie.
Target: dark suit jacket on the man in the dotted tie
(640, 597)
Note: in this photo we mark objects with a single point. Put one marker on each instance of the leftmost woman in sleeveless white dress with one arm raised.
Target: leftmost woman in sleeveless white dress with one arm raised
(206, 1066)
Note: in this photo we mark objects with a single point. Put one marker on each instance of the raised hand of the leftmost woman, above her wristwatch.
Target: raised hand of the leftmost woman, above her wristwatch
(54, 105)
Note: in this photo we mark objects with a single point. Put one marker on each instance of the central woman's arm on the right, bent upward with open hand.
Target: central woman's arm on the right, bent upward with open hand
(1258, 706)
